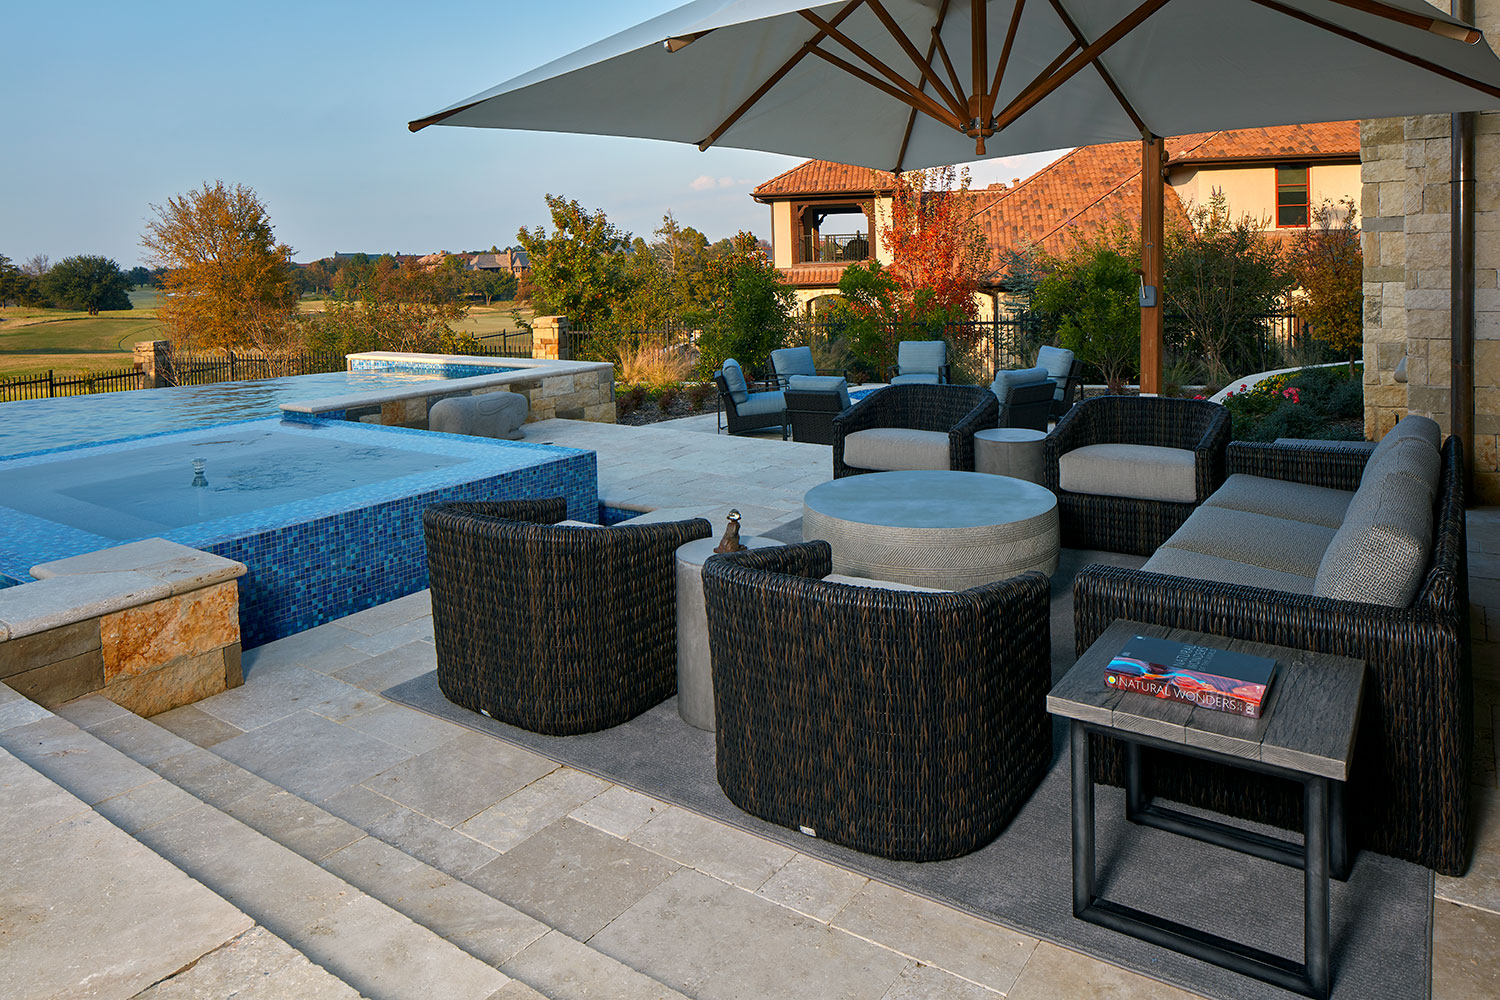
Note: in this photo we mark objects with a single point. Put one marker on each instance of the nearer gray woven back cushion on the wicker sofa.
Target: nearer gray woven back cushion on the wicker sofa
(1381, 552)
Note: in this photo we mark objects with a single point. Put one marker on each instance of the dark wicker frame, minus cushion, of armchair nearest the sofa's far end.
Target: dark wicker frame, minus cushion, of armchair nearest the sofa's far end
(1129, 524)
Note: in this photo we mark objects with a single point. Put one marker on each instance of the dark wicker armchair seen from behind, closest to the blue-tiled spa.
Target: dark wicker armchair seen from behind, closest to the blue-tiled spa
(553, 629)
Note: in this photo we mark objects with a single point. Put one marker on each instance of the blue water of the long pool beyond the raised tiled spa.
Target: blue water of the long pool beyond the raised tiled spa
(38, 425)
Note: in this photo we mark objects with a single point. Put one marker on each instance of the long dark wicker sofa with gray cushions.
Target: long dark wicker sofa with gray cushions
(1409, 795)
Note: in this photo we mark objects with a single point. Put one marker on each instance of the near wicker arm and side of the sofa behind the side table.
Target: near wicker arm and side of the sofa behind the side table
(1409, 792)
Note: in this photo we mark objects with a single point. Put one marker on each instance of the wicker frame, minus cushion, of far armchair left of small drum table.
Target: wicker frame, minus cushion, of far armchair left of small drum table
(955, 410)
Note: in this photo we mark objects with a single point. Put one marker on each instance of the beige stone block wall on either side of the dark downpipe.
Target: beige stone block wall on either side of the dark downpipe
(1405, 218)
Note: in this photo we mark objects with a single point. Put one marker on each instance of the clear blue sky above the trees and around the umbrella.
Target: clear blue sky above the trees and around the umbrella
(115, 107)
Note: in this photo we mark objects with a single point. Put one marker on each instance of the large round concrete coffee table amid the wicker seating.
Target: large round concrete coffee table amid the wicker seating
(944, 530)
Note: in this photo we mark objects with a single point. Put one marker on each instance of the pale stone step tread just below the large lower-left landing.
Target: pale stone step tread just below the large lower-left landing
(103, 755)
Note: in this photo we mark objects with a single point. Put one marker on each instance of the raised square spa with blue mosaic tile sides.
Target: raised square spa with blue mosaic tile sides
(326, 515)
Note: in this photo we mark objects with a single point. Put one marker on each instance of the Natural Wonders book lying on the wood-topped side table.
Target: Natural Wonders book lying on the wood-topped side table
(1210, 678)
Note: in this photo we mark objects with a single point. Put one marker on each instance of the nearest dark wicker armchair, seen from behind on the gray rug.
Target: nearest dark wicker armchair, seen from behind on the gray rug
(904, 725)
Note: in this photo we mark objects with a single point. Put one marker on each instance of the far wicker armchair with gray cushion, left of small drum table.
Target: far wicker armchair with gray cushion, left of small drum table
(913, 428)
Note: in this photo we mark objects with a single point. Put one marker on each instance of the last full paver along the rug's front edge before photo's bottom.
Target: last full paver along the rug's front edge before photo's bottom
(938, 936)
